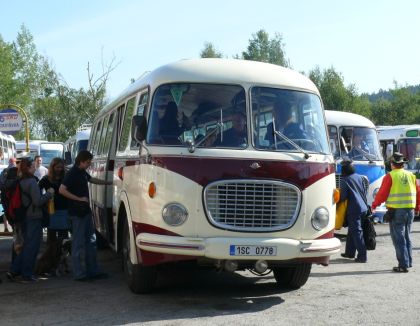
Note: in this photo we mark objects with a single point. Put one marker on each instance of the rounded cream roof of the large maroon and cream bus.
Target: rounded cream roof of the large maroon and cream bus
(220, 71)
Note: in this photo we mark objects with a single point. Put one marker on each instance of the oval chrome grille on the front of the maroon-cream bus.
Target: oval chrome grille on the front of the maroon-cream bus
(252, 205)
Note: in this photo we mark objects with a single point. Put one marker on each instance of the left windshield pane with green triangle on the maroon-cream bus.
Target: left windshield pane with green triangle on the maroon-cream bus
(206, 115)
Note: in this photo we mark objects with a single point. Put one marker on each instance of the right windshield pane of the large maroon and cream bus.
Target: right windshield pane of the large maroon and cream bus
(280, 116)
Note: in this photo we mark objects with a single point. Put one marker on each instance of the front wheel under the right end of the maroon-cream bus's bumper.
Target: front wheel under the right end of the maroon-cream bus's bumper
(292, 277)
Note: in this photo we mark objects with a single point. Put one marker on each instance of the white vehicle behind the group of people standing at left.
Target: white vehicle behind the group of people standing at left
(47, 150)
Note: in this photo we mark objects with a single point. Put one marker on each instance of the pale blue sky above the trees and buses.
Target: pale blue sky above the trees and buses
(371, 43)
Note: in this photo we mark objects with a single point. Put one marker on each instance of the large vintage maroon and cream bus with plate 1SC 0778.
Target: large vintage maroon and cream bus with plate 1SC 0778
(203, 171)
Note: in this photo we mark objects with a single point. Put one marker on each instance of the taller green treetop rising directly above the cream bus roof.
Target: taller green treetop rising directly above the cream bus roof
(262, 48)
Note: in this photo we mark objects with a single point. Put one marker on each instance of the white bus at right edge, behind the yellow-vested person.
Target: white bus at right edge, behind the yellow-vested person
(404, 139)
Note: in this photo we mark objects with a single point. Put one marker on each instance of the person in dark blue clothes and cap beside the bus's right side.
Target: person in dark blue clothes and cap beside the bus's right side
(353, 188)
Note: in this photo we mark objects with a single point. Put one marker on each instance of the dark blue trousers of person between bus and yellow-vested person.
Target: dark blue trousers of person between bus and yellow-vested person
(355, 239)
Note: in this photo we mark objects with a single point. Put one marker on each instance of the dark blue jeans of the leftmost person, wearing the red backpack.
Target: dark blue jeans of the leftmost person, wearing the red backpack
(24, 263)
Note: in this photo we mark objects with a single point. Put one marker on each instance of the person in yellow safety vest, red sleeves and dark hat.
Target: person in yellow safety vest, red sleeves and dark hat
(402, 198)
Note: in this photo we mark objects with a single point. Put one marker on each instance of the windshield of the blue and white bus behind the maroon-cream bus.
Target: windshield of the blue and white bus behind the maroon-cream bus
(357, 143)
